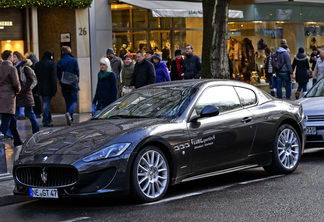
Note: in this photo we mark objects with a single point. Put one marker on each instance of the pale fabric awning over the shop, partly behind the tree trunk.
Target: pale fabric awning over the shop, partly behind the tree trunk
(176, 8)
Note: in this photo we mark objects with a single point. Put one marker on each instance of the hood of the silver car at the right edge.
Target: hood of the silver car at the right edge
(312, 105)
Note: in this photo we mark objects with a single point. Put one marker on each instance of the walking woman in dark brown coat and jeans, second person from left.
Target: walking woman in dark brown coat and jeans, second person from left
(25, 97)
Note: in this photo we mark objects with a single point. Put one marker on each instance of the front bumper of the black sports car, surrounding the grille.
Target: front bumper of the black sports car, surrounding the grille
(101, 178)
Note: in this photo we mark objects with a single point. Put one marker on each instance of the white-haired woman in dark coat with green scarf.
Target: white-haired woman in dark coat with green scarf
(106, 91)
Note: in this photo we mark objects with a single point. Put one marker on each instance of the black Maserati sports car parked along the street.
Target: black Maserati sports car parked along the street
(161, 135)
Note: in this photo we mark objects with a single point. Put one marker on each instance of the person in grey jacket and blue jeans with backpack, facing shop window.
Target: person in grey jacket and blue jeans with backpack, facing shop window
(282, 65)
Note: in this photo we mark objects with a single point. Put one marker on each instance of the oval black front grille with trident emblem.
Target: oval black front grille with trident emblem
(46, 176)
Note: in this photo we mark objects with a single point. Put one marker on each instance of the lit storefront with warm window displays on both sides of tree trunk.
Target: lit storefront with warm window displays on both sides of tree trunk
(260, 25)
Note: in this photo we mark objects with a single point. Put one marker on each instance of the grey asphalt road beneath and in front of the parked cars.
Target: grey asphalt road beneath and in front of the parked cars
(250, 195)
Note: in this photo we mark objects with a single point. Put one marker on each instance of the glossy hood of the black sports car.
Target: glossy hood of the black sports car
(84, 138)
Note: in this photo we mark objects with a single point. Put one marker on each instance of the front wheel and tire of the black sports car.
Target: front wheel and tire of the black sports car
(150, 175)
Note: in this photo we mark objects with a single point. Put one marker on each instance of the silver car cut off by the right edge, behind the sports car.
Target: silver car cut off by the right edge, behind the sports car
(314, 112)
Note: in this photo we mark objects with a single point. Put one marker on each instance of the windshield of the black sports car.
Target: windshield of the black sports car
(147, 103)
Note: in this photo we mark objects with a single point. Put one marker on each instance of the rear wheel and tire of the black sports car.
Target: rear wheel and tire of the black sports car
(286, 151)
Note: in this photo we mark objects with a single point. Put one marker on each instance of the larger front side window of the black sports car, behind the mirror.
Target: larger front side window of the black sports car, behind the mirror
(224, 97)
